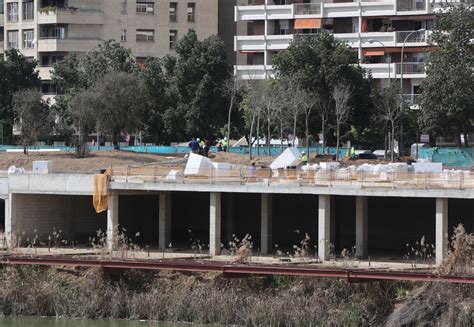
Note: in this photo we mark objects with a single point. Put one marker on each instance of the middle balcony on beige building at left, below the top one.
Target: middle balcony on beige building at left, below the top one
(70, 44)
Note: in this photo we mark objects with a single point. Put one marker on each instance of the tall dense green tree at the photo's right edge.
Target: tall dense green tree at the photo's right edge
(446, 99)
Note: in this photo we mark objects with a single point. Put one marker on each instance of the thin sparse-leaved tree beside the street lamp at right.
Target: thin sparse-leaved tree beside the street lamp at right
(389, 112)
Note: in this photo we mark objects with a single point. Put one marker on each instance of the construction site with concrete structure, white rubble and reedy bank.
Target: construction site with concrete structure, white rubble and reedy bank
(229, 240)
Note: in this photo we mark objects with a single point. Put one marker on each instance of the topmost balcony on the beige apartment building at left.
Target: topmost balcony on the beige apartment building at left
(71, 16)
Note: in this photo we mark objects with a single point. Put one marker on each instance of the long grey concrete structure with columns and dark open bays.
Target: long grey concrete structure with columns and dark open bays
(341, 215)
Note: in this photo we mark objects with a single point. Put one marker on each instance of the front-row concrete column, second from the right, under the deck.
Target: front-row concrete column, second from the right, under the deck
(324, 226)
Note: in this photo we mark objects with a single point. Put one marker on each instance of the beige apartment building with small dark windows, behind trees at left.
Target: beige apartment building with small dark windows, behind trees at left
(49, 30)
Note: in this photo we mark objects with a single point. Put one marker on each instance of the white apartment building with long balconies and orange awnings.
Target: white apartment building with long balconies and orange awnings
(379, 30)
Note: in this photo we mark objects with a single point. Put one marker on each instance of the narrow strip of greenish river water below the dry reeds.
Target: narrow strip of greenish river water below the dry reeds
(52, 322)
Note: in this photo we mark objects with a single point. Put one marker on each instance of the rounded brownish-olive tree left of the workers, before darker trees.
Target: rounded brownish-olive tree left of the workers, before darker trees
(120, 103)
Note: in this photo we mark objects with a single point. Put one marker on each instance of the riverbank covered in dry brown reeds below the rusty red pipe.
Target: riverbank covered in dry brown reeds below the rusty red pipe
(210, 298)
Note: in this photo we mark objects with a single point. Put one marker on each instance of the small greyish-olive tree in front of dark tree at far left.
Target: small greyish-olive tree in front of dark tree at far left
(32, 117)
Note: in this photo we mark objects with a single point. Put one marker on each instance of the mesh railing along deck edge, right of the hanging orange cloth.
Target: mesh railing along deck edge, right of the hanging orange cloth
(459, 180)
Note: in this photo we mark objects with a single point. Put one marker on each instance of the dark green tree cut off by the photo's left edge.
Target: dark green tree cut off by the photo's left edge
(16, 73)
